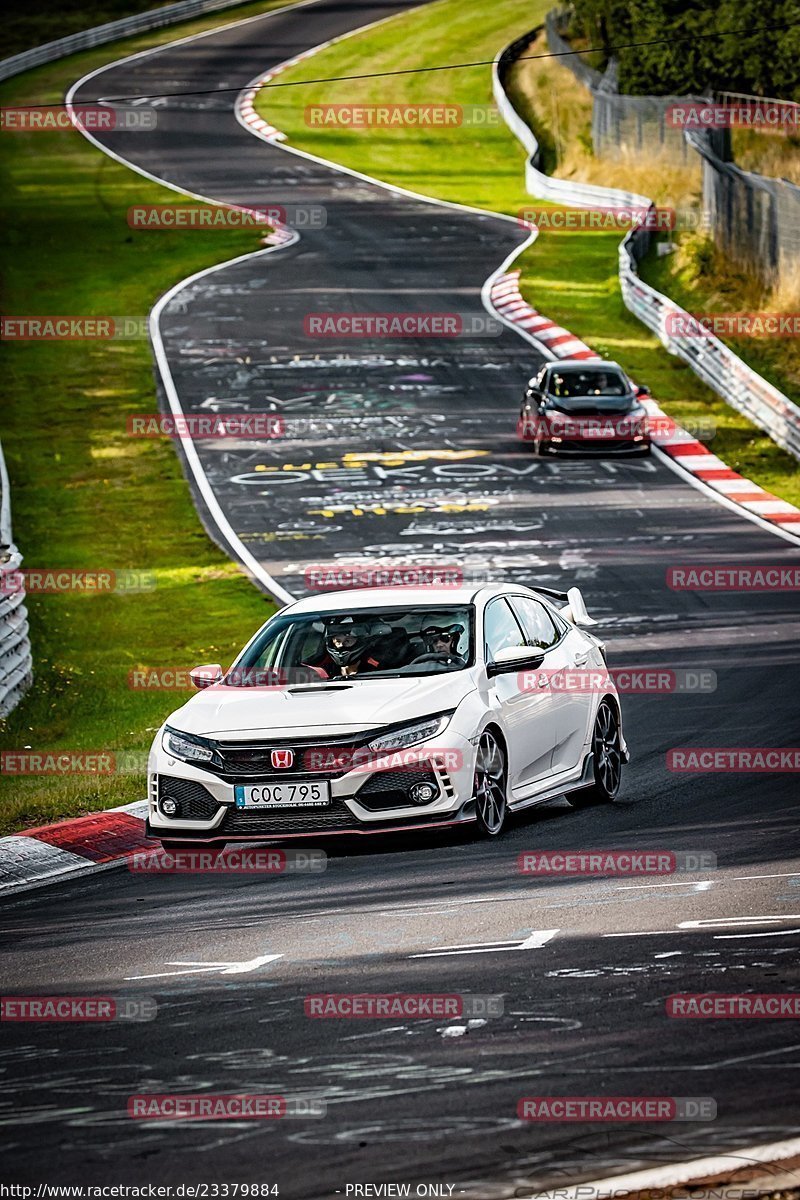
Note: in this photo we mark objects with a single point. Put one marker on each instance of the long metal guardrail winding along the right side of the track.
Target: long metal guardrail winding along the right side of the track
(711, 359)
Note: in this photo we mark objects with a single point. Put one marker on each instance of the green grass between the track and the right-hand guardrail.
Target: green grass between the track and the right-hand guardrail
(570, 278)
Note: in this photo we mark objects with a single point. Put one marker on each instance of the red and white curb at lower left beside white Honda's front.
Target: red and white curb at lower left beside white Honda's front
(83, 844)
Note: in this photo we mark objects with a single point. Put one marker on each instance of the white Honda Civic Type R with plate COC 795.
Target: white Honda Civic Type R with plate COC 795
(384, 710)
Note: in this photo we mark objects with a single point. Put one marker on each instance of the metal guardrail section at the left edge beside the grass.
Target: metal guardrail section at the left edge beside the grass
(16, 664)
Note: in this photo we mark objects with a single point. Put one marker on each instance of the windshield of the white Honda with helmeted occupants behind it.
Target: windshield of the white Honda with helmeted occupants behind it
(363, 643)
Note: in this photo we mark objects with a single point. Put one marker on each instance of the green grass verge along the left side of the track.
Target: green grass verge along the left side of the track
(86, 495)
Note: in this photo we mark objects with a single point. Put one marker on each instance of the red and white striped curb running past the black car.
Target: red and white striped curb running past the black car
(676, 442)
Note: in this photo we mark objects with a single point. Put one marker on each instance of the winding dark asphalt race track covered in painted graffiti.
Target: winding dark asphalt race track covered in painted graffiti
(425, 1102)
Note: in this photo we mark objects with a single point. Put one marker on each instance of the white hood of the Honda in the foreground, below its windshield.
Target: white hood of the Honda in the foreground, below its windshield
(364, 705)
